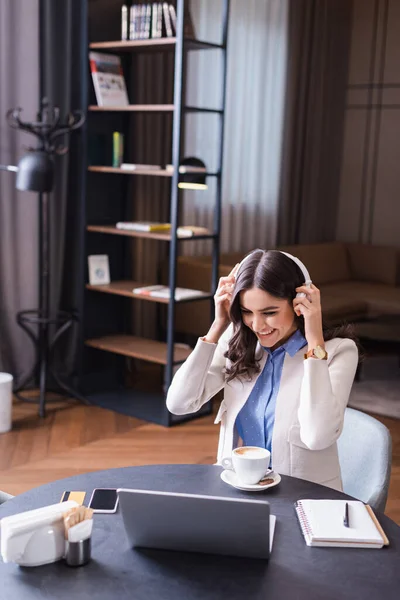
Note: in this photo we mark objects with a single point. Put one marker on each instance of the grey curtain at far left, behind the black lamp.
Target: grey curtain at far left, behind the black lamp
(19, 86)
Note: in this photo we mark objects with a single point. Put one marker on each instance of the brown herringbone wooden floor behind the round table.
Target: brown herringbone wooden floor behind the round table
(76, 439)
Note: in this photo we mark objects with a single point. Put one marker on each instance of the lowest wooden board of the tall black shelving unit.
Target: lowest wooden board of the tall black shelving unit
(136, 347)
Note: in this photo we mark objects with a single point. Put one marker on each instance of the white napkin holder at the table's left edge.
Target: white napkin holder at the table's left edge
(36, 537)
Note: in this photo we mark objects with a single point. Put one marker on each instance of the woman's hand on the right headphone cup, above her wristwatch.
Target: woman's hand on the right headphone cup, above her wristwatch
(310, 308)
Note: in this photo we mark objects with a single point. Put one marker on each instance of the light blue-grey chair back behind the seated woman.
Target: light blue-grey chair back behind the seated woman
(365, 457)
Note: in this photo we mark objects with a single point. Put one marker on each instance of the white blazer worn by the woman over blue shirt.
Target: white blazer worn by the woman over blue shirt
(310, 405)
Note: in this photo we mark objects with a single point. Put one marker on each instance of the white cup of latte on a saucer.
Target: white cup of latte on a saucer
(250, 463)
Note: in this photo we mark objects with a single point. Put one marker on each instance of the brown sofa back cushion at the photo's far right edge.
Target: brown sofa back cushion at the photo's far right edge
(371, 263)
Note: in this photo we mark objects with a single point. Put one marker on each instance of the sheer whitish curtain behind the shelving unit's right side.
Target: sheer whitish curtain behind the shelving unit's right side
(256, 58)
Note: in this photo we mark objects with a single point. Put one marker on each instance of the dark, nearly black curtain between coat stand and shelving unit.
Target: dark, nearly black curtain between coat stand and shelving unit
(64, 67)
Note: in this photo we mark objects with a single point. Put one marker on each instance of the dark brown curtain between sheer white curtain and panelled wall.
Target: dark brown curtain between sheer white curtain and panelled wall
(319, 34)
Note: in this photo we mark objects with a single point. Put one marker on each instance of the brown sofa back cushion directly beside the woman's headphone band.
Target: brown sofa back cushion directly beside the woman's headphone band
(326, 263)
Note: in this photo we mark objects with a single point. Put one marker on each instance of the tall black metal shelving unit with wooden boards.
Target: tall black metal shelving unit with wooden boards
(108, 335)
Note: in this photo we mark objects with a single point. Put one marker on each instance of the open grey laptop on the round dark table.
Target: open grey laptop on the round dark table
(197, 523)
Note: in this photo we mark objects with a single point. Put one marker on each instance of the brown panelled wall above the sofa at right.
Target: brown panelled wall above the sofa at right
(369, 203)
